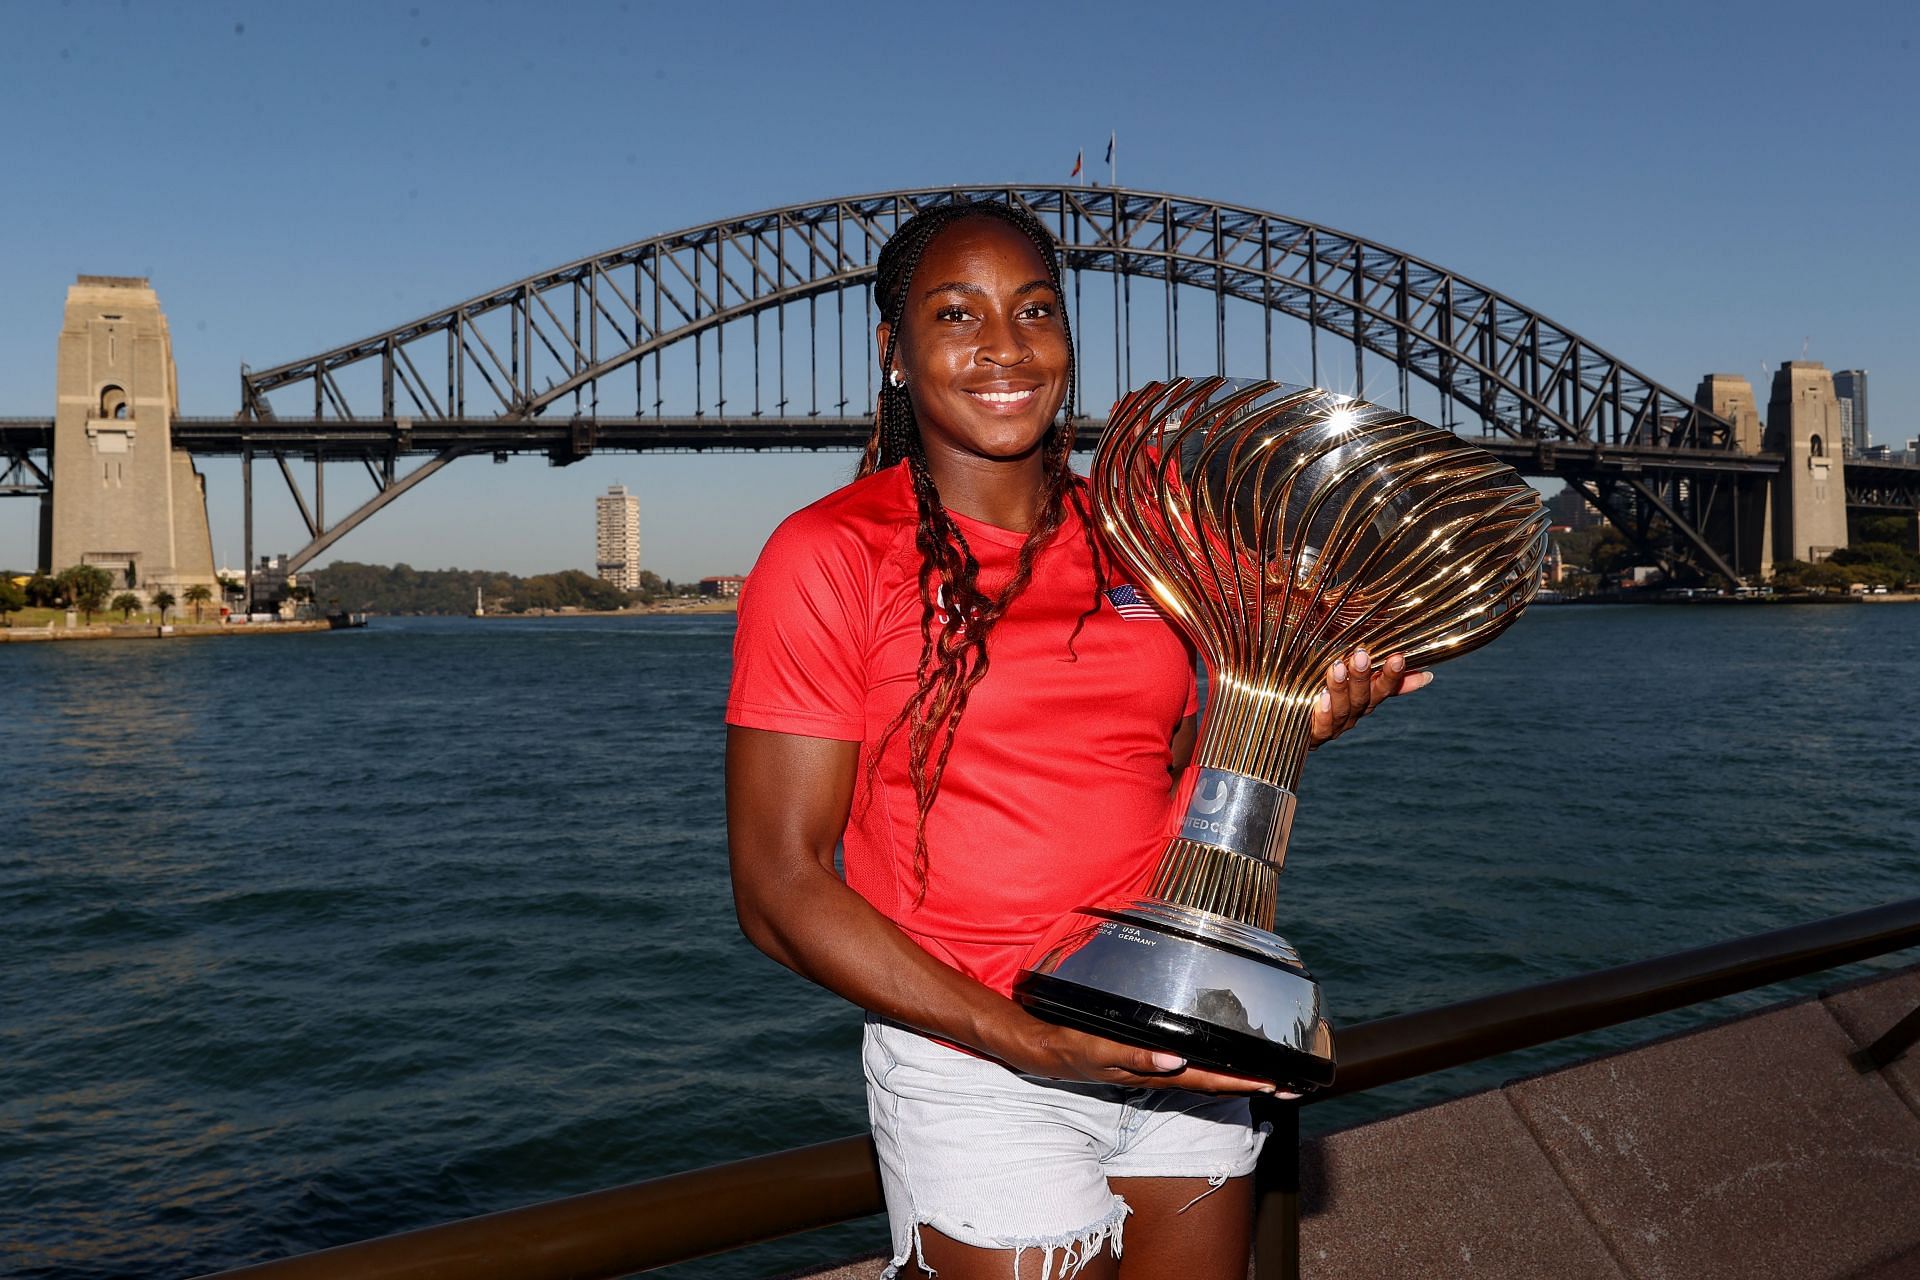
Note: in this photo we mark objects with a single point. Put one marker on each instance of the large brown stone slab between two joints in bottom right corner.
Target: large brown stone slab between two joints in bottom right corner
(1742, 1150)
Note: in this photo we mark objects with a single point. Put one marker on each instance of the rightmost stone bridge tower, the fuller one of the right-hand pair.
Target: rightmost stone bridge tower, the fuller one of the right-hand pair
(1812, 494)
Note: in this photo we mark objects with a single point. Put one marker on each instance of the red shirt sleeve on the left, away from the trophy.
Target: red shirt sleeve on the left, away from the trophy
(800, 650)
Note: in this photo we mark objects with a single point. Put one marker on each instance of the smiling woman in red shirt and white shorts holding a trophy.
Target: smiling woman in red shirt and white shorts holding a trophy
(930, 671)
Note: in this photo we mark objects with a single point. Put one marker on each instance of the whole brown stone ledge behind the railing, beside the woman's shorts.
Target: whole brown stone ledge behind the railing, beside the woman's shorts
(1746, 1150)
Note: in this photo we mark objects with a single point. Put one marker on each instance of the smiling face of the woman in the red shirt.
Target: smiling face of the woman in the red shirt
(984, 346)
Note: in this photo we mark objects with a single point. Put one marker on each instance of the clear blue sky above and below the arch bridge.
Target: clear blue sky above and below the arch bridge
(1694, 187)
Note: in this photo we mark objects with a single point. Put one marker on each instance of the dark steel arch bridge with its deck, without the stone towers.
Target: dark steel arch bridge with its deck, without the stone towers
(757, 333)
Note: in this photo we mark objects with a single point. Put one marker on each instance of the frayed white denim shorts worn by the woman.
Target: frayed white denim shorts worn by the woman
(1001, 1160)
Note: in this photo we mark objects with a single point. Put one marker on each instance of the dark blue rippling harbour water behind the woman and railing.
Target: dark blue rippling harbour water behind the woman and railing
(325, 937)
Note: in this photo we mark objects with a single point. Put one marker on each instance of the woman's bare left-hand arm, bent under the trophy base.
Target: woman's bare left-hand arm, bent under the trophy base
(788, 803)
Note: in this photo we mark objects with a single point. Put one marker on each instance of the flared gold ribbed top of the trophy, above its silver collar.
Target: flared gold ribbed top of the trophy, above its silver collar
(1285, 527)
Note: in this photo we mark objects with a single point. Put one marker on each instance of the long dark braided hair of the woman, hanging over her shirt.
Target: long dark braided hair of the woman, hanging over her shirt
(953, 634)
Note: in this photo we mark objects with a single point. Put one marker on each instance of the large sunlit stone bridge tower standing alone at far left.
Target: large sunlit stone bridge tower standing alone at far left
(124, 500)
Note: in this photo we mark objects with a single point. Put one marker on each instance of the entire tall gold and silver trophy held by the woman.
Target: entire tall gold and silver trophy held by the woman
(1282, 529)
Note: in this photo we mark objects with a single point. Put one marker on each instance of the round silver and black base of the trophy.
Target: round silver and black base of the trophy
(1218, 993)
